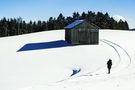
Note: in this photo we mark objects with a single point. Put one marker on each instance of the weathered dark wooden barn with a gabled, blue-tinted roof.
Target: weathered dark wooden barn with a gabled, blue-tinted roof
(81, 32)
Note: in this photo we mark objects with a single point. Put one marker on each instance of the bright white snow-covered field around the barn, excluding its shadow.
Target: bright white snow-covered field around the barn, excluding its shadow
(51, 69)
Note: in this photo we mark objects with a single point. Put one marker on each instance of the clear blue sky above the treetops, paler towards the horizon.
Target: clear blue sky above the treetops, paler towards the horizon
(43, 9)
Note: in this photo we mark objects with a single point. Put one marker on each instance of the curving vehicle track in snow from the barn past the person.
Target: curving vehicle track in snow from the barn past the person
(119, 50)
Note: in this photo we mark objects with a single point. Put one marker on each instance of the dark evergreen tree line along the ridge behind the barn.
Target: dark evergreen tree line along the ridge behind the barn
(17, 26)
